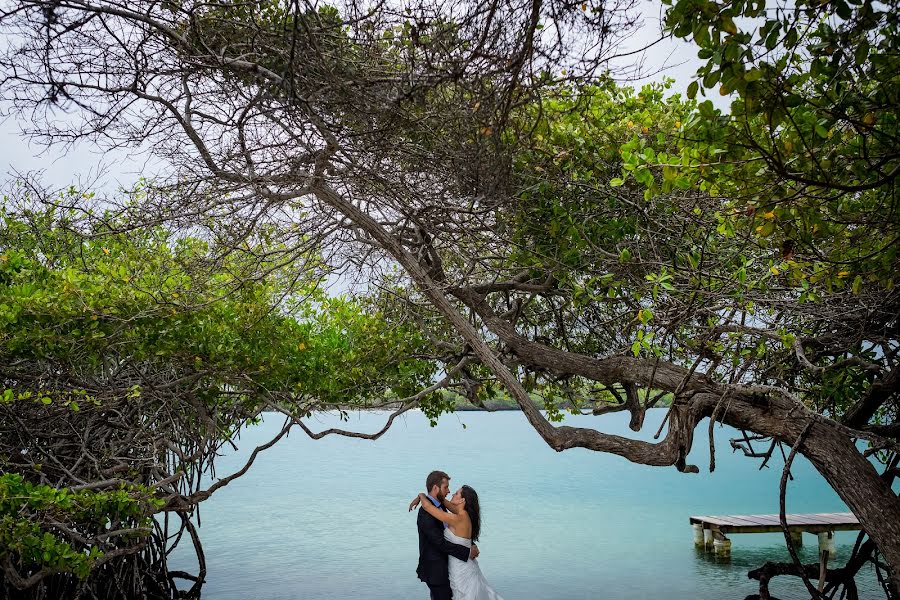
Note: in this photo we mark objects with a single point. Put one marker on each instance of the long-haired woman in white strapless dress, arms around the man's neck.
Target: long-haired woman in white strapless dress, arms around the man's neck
(463, 526)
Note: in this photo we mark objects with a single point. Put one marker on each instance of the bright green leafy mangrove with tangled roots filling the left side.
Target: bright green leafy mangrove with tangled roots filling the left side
(129, 362)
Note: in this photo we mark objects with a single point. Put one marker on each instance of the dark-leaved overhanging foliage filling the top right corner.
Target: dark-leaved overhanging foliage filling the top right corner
(812, 136)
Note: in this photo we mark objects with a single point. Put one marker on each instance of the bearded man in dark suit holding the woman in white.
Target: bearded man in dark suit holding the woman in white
(433, 548)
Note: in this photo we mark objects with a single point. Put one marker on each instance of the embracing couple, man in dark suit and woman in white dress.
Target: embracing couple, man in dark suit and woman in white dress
(448, 527)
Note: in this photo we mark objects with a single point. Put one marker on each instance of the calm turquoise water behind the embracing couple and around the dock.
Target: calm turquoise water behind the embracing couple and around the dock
(328, 519)
